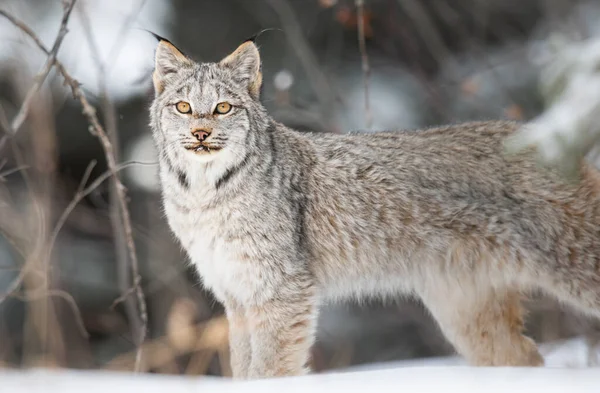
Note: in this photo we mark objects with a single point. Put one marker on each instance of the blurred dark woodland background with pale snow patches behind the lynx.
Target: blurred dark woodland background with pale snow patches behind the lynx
(68, 294)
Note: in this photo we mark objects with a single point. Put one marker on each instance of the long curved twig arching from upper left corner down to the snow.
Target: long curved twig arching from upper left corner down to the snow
(97, 130)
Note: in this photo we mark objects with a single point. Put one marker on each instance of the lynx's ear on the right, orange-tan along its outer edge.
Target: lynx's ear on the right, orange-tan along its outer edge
(245, 65)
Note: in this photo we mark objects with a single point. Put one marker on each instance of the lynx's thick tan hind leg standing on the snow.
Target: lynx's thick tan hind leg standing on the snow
(486, 328)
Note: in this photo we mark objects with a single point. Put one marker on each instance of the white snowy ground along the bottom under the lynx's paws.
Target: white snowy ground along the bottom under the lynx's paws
(565, 373)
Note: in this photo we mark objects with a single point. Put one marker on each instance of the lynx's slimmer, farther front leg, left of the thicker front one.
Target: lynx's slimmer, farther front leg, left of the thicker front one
(239, 340)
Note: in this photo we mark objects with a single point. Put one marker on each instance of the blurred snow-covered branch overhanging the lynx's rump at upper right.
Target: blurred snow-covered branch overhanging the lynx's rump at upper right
(570, 83)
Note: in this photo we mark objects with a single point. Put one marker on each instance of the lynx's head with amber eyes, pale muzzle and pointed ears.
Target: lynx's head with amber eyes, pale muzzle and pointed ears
(206, 111)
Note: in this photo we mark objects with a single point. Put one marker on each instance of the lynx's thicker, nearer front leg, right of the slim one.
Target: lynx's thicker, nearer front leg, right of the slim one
(283, 331)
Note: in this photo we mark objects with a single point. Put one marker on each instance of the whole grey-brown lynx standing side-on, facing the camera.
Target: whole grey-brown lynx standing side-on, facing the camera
(279, 221)
